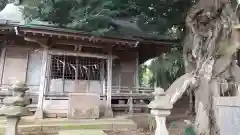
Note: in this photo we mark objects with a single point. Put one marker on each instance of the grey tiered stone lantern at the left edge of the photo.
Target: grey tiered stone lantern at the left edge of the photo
(15, 107)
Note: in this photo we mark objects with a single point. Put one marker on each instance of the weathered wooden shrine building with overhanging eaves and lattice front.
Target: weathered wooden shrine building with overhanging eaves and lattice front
(55, 62)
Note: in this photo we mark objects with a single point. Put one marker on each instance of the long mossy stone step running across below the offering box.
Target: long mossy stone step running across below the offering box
(53, 126)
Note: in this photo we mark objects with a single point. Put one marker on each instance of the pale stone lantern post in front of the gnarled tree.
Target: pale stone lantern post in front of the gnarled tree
(160, 109)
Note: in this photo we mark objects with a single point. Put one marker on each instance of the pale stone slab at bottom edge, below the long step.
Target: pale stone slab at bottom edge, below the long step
(81, 132)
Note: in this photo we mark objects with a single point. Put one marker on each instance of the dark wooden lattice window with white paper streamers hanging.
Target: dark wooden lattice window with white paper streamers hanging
(75, 67)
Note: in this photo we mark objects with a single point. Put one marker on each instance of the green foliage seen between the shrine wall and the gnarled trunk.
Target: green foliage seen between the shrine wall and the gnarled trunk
(163, 70)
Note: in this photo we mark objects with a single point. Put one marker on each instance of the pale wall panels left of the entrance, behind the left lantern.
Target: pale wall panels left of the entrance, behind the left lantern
(22, 64)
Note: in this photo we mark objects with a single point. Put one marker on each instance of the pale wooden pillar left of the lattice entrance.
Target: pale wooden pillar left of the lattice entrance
(43, 81)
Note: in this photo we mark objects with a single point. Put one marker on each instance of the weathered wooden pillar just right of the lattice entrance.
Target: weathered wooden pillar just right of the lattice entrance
(109, 86)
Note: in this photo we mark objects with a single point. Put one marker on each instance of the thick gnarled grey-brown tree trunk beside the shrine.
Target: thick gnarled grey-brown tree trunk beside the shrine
(209, 53)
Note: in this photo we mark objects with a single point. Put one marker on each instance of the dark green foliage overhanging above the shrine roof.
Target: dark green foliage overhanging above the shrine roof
(134, 18)
